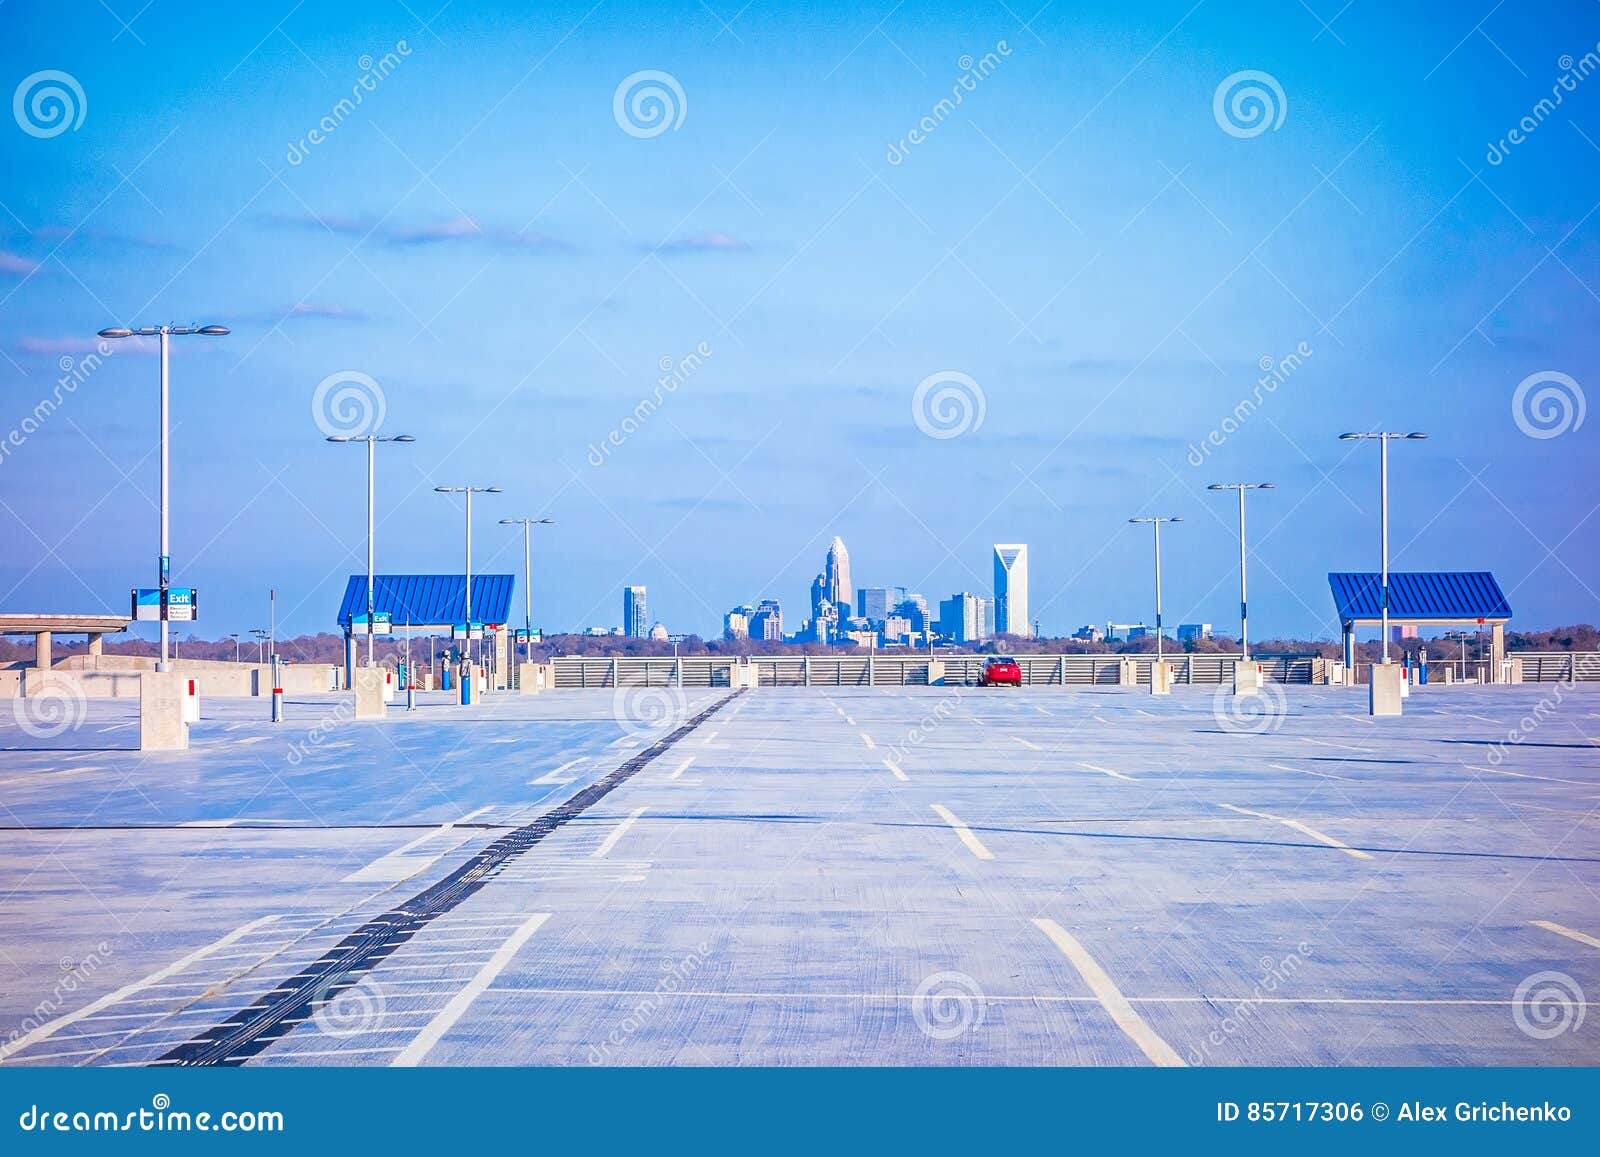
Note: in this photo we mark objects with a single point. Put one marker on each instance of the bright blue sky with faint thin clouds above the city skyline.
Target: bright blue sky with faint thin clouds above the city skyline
(1082, 238)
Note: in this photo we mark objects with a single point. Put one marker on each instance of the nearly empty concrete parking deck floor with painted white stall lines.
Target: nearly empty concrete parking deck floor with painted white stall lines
(913, 876)
